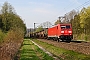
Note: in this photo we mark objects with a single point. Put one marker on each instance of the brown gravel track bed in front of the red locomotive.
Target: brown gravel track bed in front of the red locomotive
(78, 46)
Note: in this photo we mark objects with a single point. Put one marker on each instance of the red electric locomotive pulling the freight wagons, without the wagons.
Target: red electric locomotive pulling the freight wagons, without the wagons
(61, 32)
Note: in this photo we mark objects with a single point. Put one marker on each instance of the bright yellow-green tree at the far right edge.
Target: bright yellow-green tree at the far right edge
(85, 19)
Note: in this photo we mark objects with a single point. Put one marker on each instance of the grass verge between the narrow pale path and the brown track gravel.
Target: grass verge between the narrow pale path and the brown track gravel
(63, 53)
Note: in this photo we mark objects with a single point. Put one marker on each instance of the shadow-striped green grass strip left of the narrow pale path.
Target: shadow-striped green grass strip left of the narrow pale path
(29, 51)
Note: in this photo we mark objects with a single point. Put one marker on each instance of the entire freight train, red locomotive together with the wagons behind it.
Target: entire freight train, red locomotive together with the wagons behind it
(59, 32)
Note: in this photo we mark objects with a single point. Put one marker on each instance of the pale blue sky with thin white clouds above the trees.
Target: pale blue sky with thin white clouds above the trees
(39, 11)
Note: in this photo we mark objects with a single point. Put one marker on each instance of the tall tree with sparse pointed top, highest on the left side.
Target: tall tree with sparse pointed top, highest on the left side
(7, 13)
